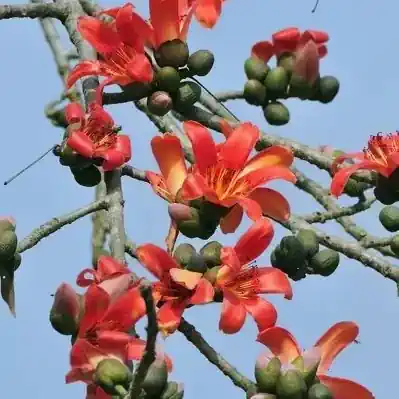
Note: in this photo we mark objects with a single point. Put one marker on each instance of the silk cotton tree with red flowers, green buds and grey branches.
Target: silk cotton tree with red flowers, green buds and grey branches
(209, 183)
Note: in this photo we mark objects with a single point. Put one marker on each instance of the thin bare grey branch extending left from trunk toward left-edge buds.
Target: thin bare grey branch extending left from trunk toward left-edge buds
(55, 224)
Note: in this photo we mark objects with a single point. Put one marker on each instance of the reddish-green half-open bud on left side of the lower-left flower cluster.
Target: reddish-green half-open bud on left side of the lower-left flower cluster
(66, 310)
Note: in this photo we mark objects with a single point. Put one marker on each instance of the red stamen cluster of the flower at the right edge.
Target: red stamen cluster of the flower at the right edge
(380, 147)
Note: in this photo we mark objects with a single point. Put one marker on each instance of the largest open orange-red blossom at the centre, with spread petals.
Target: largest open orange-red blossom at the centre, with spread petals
(222, 172)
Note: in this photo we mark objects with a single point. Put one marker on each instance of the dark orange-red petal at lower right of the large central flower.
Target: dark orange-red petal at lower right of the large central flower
(273, 203)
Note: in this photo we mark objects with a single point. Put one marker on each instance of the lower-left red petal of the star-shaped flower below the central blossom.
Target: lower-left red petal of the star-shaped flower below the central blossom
(233, 314)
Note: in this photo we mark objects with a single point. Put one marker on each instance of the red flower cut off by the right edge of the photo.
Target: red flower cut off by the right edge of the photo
(381, 155)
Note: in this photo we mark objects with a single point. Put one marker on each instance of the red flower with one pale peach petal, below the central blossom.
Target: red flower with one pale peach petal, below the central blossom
(177, 287)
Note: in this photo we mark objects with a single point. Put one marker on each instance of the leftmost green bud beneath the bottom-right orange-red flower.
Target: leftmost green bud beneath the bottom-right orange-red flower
(267, 373)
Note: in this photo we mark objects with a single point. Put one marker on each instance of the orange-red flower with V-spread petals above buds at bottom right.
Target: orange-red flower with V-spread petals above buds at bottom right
(327, 348)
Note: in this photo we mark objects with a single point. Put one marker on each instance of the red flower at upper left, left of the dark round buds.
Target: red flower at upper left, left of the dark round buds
(121, 46)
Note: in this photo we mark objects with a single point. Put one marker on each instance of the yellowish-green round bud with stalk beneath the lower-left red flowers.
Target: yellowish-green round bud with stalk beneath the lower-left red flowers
(112, 376)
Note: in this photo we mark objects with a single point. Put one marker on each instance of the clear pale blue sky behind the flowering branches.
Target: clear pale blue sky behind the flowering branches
(362, 54)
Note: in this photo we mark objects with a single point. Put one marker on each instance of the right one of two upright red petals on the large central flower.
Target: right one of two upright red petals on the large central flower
(235, 151)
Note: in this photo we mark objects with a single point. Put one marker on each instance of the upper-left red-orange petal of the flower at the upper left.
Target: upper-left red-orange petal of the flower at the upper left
(99, 34)
